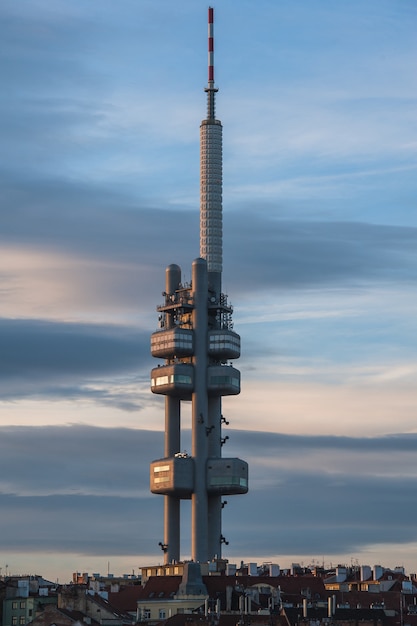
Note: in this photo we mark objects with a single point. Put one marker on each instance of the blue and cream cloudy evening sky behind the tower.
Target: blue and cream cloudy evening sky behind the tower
(100, 108)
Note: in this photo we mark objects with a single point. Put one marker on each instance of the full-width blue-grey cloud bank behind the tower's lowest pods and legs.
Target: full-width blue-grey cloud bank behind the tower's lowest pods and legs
(85, 490)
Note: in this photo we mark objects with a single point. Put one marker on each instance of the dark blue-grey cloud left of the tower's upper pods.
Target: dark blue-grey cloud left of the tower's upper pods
(78, 361)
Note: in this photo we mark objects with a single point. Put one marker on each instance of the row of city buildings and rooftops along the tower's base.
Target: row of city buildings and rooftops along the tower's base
(220, 594)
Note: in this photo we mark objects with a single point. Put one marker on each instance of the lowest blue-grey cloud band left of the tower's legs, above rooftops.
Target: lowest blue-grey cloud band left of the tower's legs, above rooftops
(90, 525)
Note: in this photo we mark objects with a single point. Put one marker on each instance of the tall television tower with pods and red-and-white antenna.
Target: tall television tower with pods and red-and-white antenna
(197, 341)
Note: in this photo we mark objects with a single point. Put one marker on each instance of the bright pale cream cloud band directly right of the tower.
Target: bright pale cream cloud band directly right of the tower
(298, 405)
